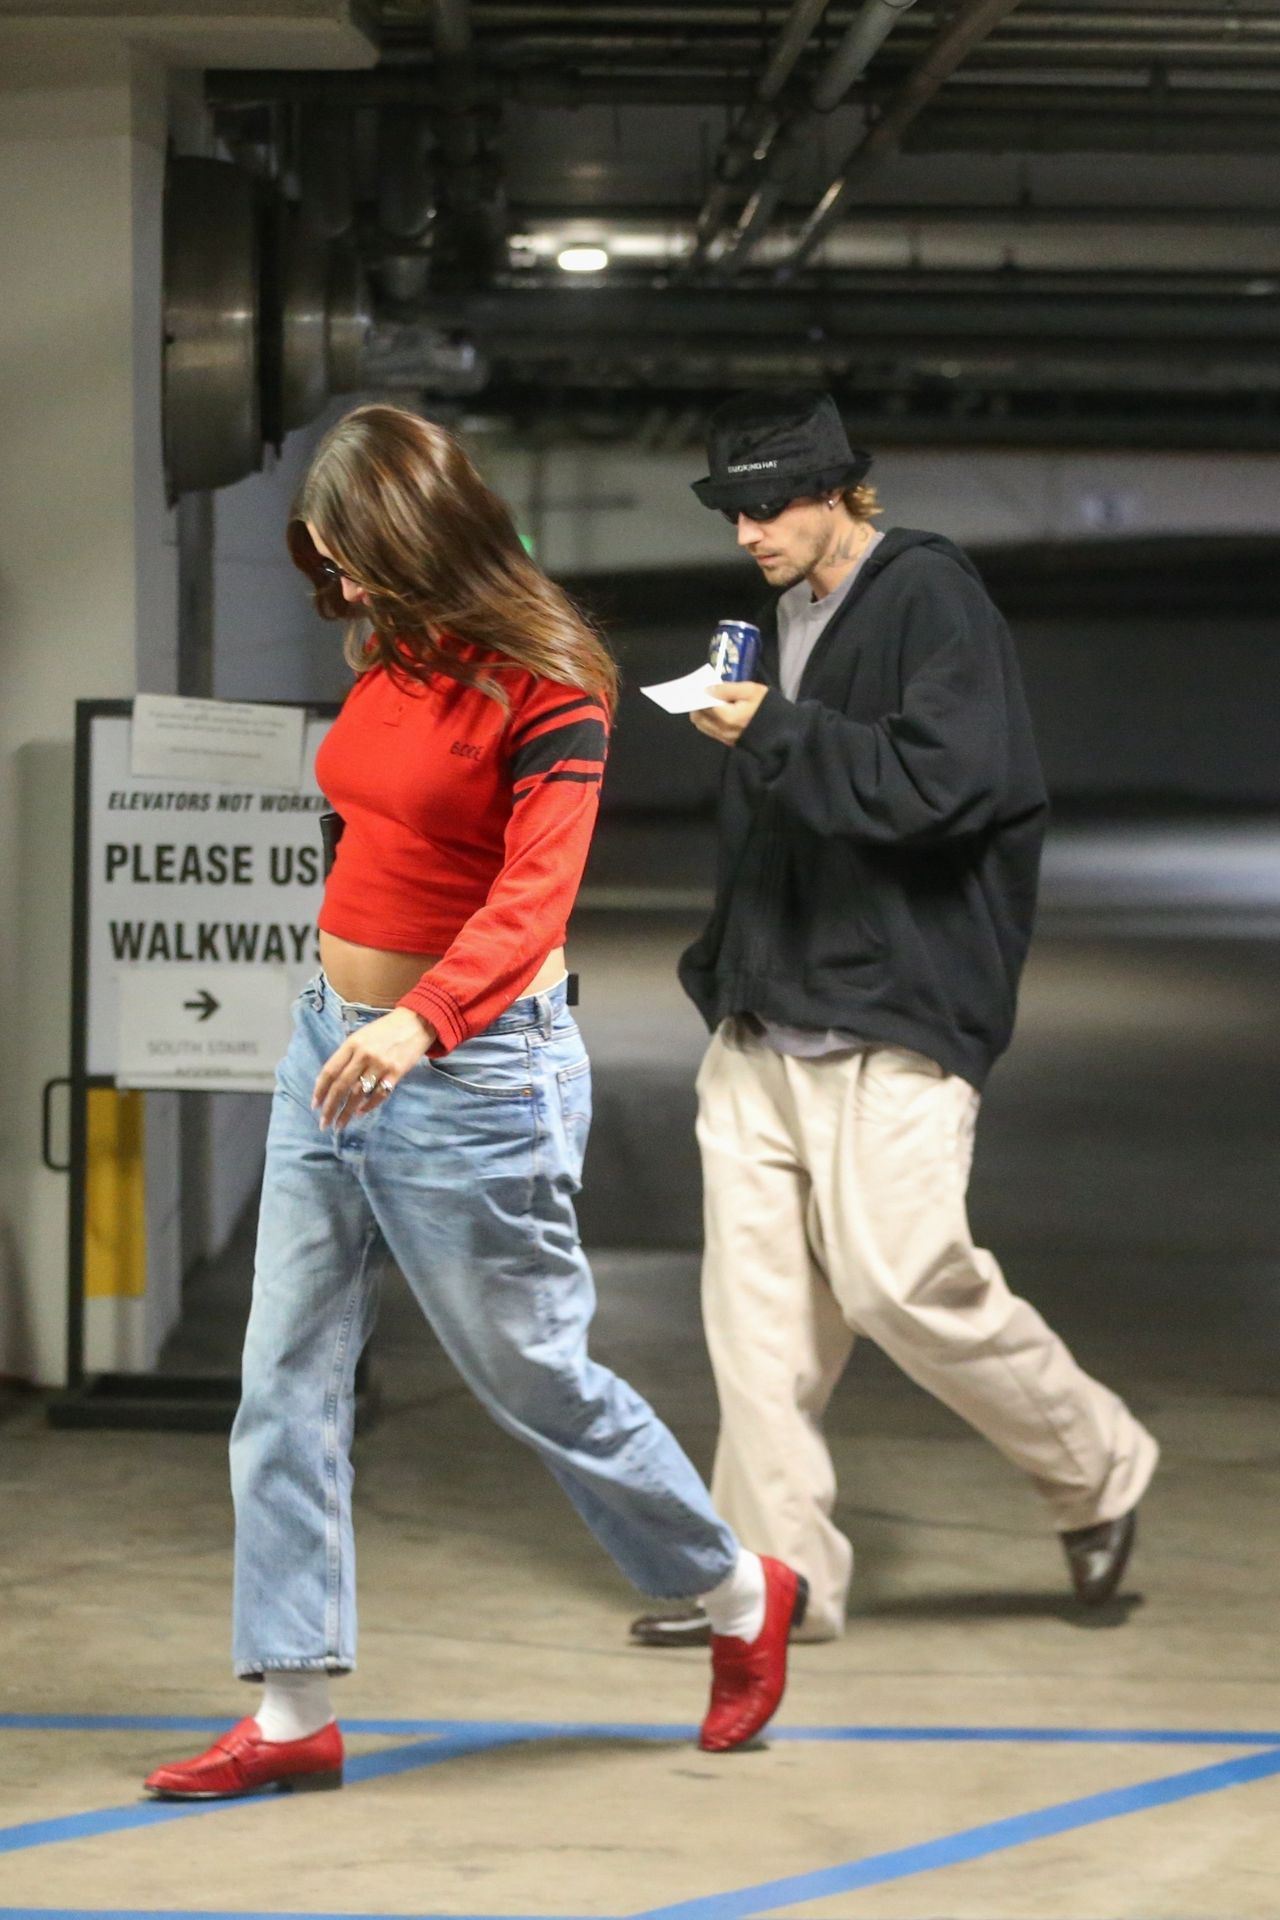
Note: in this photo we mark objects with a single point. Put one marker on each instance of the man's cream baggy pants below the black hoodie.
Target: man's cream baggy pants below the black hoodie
(836, 1207)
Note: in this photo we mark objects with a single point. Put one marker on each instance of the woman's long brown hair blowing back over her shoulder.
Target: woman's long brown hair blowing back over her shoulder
(408, 519)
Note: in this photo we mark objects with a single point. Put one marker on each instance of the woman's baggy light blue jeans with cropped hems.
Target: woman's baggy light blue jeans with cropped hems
(465, 1180)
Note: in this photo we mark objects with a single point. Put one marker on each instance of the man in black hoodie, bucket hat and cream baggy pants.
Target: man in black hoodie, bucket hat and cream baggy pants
(880, 840)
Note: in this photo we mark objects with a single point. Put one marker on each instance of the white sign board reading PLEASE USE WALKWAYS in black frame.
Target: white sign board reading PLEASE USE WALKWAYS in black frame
(197, 876)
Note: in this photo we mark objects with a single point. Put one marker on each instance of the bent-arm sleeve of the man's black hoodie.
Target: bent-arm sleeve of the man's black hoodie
(936, 767)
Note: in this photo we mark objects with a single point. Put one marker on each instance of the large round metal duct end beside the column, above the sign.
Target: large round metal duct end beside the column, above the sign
(264, 322)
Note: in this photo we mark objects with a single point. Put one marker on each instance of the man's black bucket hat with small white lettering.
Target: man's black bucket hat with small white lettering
(778, 446)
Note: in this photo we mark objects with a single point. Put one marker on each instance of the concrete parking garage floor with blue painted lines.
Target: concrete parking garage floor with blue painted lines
(974, 1746)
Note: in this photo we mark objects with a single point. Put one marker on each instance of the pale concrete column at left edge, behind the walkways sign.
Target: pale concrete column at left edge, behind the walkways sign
(87, 594)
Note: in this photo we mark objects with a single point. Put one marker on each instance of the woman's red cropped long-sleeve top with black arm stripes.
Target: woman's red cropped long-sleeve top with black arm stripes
(465, 828)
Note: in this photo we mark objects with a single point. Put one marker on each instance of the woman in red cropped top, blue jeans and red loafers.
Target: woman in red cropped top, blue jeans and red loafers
(435, 1103)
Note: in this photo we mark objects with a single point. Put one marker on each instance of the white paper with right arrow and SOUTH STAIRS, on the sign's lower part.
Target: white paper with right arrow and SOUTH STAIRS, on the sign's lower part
(214, 1028)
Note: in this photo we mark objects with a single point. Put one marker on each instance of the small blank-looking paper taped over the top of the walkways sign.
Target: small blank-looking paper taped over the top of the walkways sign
(225, 742)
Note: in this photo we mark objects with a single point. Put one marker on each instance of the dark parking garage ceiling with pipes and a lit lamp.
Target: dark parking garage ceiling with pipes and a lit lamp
(995, 222)
